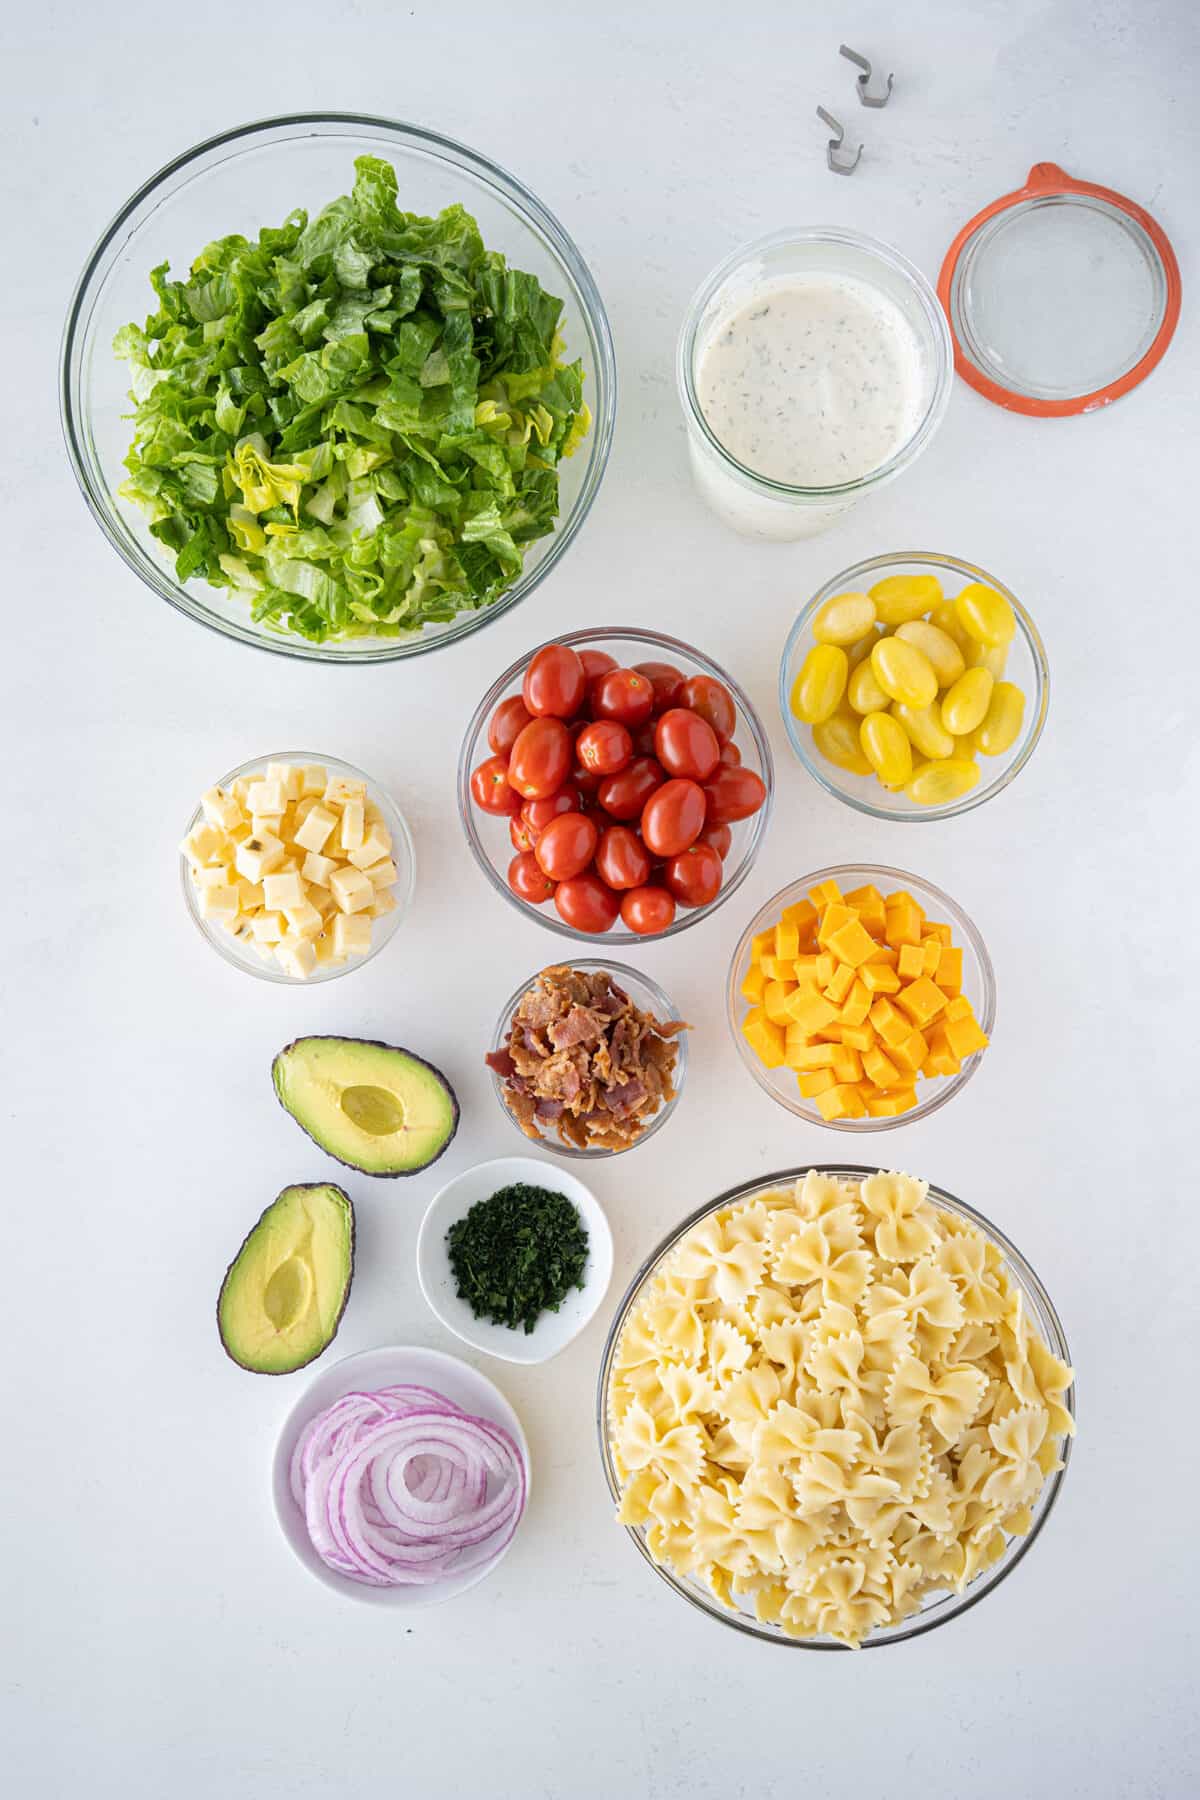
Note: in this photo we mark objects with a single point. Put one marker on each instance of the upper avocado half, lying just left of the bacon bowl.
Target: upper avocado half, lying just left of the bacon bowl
(372, 1106)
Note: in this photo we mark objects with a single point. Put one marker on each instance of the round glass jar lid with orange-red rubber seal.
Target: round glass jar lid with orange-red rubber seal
(1061, 296)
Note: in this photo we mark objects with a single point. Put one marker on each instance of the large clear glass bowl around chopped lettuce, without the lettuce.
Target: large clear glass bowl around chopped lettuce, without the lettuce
(240, 183)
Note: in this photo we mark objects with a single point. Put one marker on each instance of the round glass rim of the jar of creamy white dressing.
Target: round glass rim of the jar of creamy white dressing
(935, 316)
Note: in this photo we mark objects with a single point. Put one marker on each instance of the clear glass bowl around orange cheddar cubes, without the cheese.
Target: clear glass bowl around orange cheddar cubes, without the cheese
(980, 985)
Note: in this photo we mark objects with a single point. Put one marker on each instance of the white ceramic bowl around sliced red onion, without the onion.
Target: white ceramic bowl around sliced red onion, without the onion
(361, 1374)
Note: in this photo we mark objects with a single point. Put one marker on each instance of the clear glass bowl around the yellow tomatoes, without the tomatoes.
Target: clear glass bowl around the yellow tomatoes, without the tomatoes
(1026, 667)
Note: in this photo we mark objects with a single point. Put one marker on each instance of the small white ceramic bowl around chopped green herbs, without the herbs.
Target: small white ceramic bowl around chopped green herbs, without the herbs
(553, 1331)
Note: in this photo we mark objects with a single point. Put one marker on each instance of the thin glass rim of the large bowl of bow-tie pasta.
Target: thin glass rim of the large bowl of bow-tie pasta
(947, 1606)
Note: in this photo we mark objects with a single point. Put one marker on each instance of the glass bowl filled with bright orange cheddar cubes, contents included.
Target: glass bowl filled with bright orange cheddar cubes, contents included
(861, 998)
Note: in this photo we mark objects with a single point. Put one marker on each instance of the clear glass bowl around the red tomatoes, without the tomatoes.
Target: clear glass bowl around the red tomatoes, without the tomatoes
(490, 840)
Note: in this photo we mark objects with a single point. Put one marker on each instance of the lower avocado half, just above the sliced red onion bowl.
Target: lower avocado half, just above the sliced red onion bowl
(285, 1291)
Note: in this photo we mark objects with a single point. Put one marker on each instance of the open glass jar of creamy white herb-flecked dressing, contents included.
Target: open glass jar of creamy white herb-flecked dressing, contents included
(812, 368)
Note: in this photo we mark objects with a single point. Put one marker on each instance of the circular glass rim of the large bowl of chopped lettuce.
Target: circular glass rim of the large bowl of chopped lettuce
(280, 129)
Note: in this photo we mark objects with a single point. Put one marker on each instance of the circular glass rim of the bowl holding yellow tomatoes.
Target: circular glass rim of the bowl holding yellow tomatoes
(850, 580)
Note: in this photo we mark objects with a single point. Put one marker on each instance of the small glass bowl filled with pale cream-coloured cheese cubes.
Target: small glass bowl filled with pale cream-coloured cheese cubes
(298, 867)
